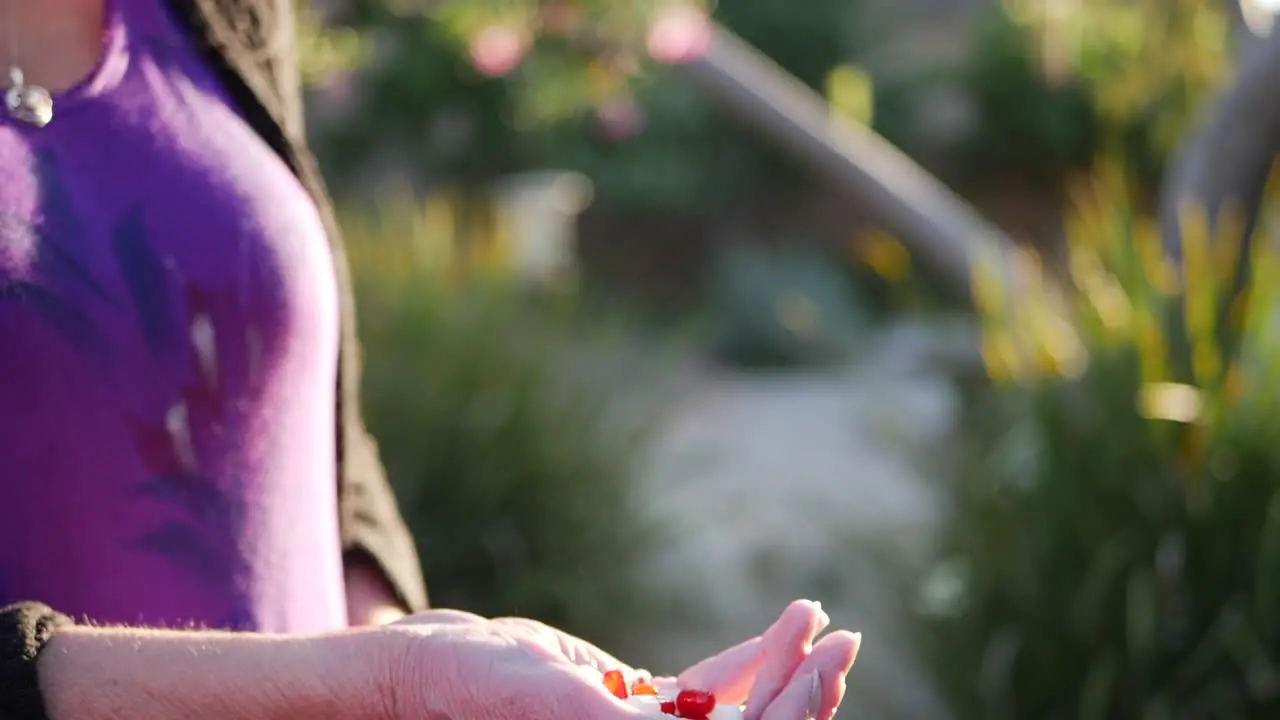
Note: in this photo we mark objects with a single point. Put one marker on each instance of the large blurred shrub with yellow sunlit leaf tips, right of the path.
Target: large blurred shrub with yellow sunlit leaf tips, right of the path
(1116, 543)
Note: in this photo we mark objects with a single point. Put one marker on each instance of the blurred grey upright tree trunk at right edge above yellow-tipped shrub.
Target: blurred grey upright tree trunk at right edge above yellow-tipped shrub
(1224, 165)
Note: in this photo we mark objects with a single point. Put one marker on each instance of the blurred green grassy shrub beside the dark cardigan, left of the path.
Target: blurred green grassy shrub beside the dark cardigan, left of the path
(515, 453)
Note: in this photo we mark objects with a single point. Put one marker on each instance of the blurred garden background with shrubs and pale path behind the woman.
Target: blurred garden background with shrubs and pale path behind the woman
(639, 371)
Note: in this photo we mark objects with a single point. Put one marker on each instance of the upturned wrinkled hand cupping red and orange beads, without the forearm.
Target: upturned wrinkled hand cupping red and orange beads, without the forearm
(460, 667)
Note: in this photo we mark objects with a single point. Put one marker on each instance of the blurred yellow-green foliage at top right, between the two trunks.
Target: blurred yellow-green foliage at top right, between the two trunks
(1058, 84)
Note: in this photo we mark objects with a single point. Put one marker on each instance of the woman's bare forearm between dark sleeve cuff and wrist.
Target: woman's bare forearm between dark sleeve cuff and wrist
(109, 673)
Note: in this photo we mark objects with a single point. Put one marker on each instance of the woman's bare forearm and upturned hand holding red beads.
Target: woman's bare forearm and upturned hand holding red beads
(440, 666)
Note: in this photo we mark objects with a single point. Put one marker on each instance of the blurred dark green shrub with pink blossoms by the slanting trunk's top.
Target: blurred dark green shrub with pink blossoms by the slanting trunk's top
(584, 98)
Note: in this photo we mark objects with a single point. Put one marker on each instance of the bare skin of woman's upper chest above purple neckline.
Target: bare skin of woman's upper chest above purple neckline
(56, 43)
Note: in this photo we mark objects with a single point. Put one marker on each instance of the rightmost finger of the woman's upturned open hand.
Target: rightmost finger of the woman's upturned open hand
(819, 686)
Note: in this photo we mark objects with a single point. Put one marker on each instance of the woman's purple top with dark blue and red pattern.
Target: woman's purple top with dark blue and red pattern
(168, 356)
